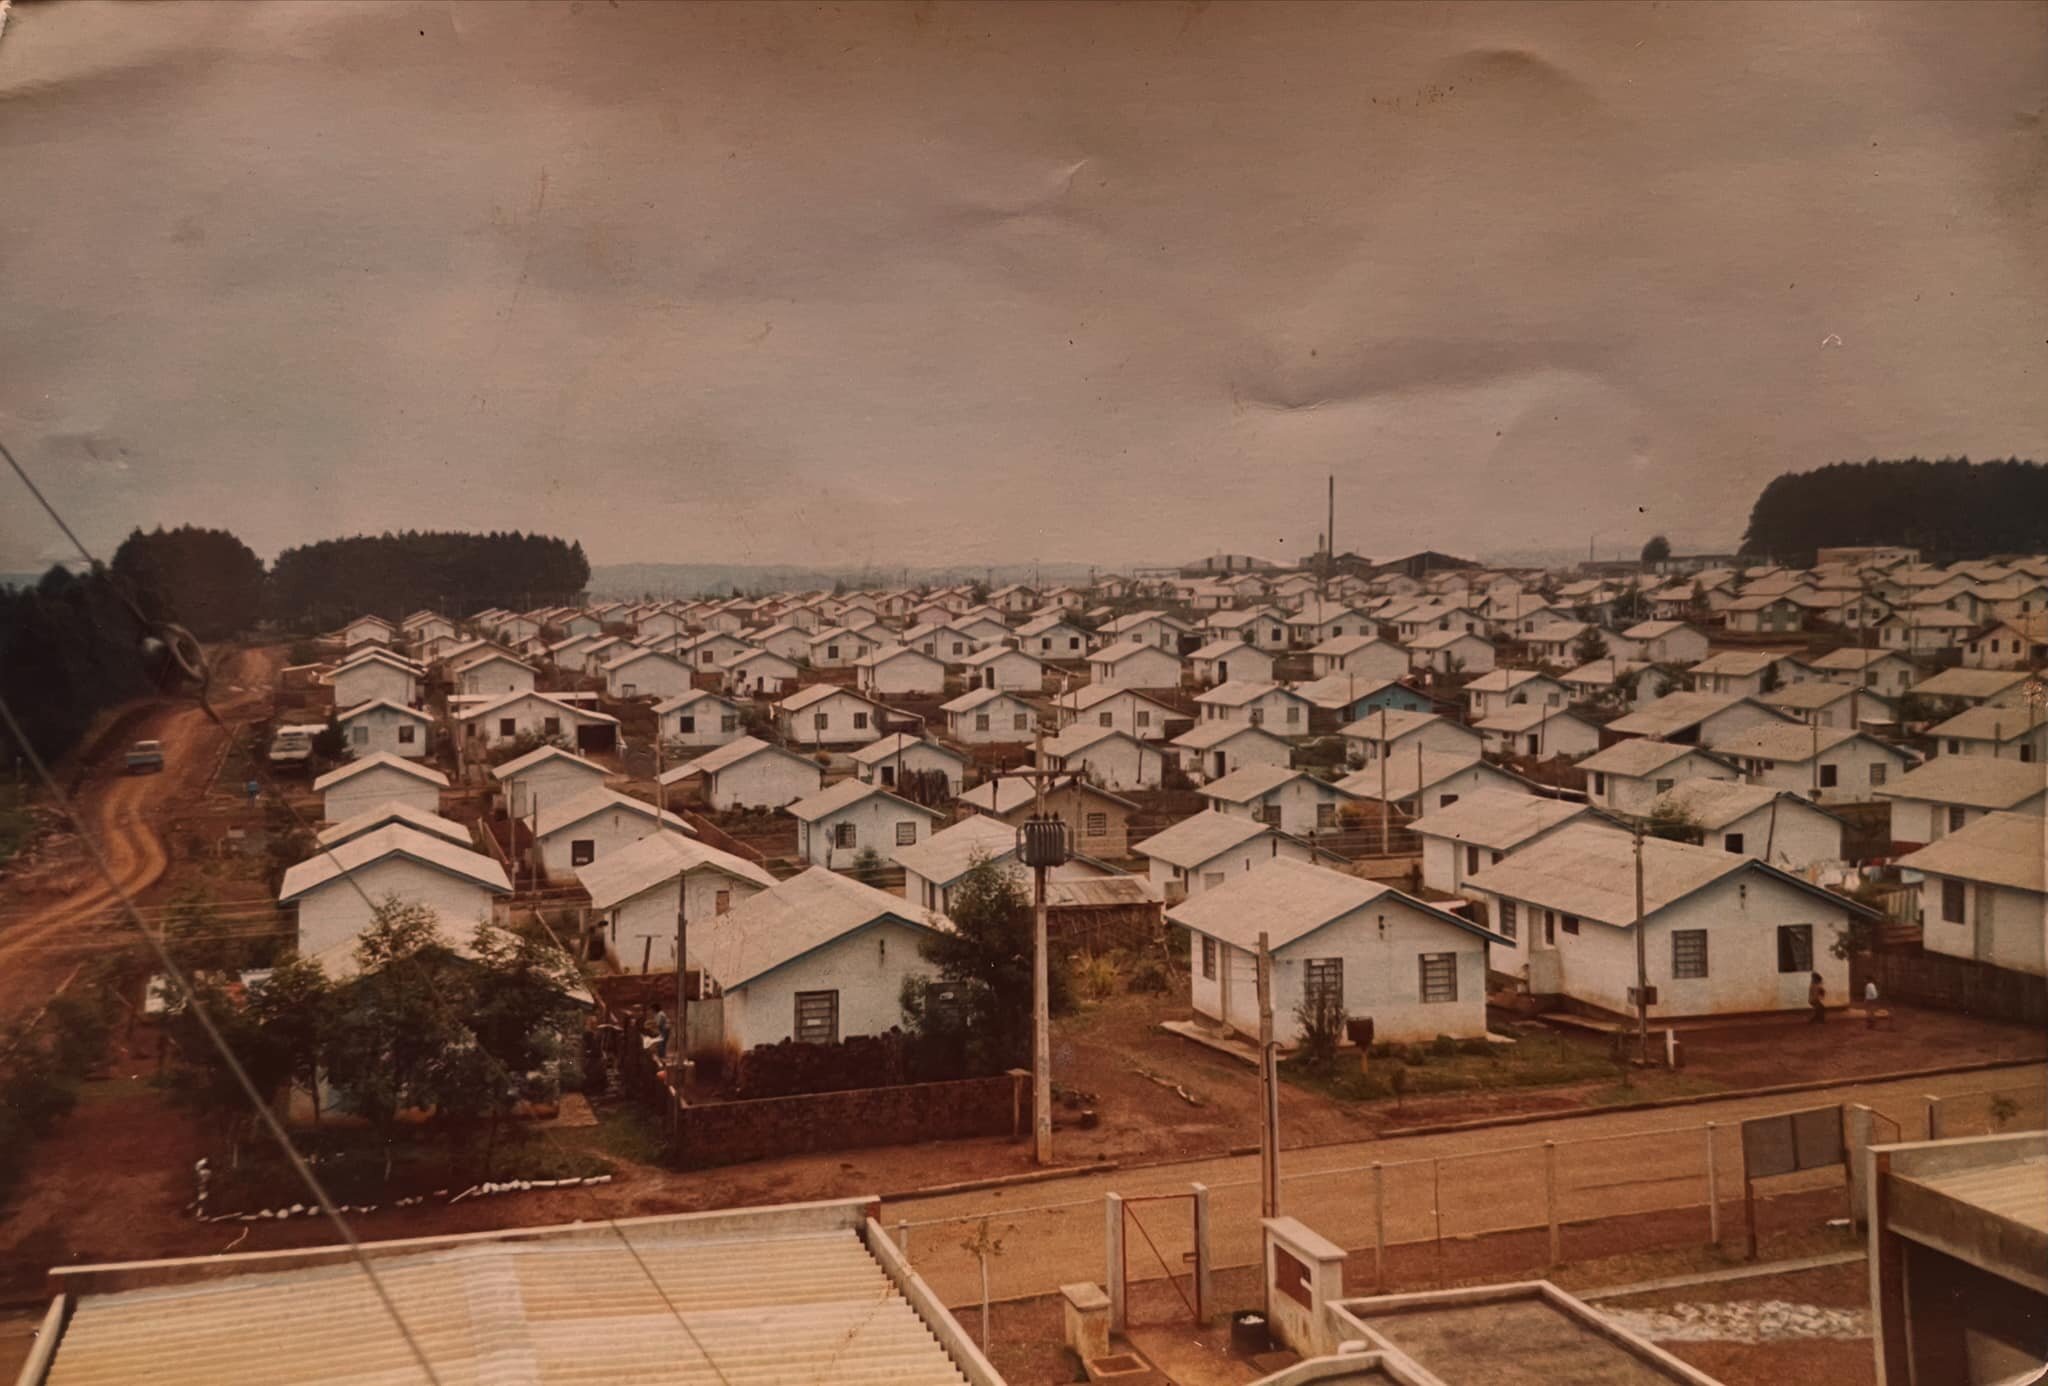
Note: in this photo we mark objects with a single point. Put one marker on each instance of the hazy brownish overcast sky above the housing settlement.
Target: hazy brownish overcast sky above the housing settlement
(945, 284)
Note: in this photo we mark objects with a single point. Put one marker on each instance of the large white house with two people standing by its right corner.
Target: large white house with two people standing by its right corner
(1723, 933)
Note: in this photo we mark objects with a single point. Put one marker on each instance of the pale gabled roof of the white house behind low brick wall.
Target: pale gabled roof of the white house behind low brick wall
(800, 916)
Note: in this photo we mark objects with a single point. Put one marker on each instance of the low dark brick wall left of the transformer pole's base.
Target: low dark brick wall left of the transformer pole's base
(726, 1133)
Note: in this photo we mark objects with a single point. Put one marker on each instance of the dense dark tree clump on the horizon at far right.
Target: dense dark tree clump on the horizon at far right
(1949, 511)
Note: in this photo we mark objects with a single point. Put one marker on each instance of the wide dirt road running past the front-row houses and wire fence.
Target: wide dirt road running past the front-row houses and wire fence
(1478, 1182)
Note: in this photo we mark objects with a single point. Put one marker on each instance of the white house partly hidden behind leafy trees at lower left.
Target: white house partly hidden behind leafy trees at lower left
(339, 890)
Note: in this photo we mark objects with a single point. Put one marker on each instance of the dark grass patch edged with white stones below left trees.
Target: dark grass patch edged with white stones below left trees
(351, 1166)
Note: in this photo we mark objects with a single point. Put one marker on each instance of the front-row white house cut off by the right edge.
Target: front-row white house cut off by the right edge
(1983, 896)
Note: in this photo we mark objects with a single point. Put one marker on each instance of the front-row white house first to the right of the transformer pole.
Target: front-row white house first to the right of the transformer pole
(1414, 969)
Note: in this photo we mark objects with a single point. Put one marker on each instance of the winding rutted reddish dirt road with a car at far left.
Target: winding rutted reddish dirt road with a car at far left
(124, 816)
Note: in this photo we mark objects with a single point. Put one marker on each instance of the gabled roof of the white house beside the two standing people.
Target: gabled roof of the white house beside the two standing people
(1590, 873)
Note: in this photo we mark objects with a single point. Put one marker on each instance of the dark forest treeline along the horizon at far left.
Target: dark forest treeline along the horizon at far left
(73, 646)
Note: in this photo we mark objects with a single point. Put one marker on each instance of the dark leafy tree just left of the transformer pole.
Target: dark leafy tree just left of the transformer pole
(986, 965)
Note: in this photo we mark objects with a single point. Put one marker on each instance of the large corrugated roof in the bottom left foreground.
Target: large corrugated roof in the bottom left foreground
(804, 1309)
